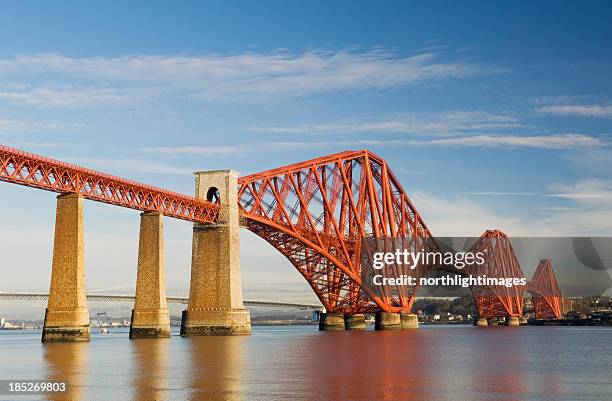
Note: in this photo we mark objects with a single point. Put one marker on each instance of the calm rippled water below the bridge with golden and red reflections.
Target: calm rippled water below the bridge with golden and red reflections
(283, 363)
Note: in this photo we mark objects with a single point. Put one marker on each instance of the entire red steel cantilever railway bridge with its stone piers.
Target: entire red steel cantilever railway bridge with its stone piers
(316, 213)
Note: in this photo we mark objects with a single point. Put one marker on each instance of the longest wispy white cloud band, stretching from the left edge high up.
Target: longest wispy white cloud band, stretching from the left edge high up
(218, 77)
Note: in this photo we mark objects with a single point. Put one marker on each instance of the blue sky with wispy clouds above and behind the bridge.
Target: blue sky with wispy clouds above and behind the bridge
(493, 115)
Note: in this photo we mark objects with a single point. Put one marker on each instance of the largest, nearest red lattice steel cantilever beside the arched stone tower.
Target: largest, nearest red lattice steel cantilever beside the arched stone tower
(317, 212)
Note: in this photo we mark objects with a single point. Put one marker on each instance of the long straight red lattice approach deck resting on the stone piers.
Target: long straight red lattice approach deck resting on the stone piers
(40, 172)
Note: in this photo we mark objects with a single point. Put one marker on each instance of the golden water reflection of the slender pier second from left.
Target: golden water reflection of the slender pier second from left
(150, 369)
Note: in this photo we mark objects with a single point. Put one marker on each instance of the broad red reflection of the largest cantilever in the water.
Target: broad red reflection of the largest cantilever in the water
(369, 366)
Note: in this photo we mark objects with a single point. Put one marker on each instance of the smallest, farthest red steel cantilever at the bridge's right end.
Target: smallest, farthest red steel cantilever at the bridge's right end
(545, 293)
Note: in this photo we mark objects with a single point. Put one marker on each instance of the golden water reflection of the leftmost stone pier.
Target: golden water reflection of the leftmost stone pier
(67, 362)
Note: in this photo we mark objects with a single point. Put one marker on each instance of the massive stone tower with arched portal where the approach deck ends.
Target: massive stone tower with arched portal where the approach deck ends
(215, 294)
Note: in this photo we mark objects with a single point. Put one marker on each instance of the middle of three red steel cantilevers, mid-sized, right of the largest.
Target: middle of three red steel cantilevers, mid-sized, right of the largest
(500, 262)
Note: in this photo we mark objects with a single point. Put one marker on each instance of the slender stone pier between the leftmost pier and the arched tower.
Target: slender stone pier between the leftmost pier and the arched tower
(150, 318)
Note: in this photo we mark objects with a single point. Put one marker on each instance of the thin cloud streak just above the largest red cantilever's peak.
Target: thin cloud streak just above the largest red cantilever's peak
(448, 122)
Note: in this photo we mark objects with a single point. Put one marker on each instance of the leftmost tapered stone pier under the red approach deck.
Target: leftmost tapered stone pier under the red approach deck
(67, 317)
